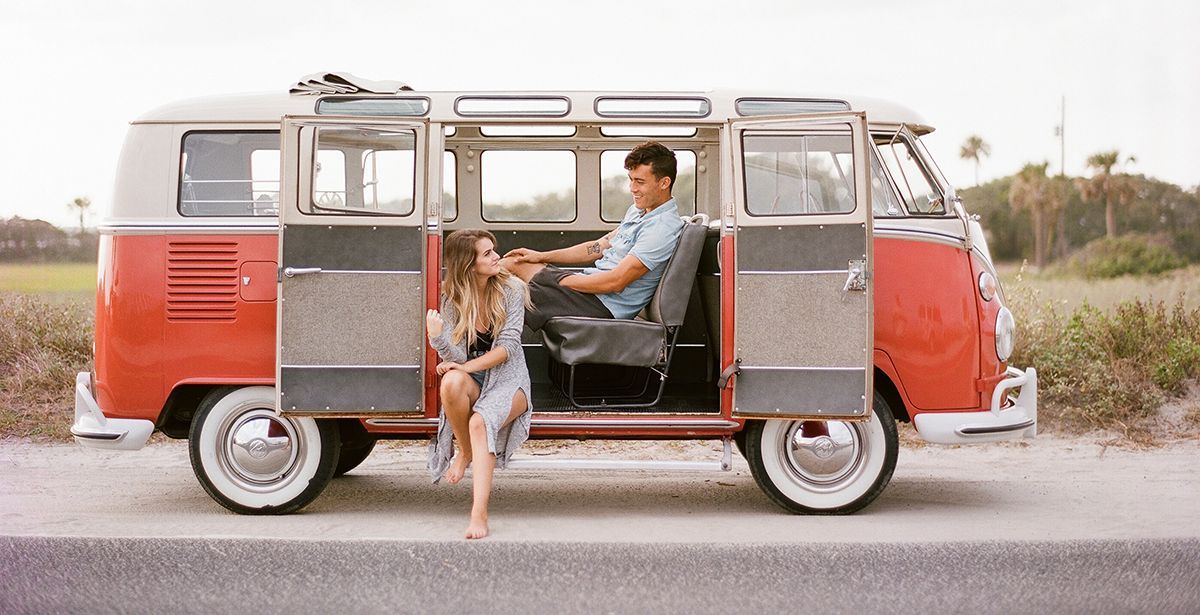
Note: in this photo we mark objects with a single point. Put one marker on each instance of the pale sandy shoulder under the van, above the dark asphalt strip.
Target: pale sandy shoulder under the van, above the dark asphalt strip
(1049, 489)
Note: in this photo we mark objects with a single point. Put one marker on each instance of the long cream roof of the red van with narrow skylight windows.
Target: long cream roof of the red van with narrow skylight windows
(579, 106)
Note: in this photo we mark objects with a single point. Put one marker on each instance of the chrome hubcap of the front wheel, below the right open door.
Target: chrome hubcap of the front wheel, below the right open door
(824, 455)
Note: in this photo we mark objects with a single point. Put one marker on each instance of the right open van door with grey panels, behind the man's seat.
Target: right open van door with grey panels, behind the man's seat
(801, 222)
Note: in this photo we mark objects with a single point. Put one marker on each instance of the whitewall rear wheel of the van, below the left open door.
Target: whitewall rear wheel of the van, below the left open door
(251, 461)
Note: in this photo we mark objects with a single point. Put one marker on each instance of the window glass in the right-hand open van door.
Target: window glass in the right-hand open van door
(799, 175)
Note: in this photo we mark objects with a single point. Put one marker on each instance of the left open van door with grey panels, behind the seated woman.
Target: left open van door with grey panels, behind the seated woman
(355, 219)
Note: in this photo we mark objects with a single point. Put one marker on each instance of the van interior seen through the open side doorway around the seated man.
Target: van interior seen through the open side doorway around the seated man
(550, 187)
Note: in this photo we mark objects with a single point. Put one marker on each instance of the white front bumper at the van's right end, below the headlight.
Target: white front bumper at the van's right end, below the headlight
(1010, 419)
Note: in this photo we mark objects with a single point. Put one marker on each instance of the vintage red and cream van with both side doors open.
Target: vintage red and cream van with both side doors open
(268, 260)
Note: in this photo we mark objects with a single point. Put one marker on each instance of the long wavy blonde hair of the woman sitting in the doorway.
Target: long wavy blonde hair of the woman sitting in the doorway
(459, 288)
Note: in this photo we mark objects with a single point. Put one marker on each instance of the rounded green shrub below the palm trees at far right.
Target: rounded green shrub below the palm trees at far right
(1129, 255)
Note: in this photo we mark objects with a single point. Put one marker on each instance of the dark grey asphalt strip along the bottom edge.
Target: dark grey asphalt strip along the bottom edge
(238, 575)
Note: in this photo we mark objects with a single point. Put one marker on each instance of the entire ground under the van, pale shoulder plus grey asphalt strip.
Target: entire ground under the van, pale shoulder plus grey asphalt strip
(1055, 527)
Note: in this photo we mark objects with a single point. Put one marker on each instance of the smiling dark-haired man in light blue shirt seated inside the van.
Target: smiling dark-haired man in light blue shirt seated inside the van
(627, 264)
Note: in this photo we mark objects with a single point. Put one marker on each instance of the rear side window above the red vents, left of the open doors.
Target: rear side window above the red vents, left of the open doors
(226, 174)
